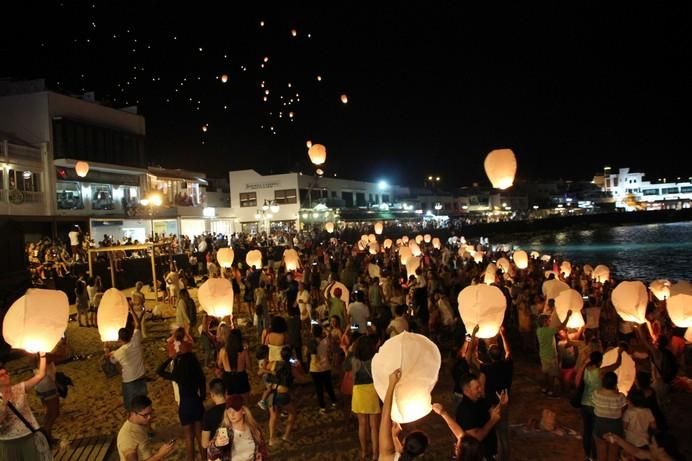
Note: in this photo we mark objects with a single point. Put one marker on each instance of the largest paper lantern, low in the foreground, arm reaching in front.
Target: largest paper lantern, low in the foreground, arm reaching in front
(419, 360)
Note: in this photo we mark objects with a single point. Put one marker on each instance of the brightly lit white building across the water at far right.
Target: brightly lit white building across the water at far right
(630, 191)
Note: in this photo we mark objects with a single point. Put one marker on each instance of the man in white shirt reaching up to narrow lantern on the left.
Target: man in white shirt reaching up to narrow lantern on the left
(131, 359)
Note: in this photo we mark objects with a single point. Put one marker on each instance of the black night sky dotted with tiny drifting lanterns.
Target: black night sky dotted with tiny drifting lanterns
(432, 87)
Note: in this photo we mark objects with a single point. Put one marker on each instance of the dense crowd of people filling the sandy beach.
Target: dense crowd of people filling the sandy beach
(303, 329)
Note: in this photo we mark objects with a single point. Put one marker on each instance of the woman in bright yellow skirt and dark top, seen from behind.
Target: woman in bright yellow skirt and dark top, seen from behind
(365, 403)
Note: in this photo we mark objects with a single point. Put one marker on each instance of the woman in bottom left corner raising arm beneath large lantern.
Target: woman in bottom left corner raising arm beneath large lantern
(19, 435)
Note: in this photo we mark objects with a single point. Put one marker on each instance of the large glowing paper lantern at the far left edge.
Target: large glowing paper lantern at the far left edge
(37, 320)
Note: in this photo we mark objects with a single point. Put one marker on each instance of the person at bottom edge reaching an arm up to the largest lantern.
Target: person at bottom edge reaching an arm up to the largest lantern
(391, 448)
